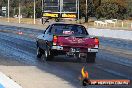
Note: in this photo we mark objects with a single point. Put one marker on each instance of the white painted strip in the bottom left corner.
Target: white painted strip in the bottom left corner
(6, 82)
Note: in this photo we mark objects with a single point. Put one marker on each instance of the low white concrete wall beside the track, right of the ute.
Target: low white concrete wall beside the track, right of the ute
(121, 34)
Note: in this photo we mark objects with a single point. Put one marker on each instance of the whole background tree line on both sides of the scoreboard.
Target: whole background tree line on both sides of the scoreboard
(117, 9)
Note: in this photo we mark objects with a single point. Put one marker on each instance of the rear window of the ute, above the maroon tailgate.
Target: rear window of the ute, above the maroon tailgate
(67, 29)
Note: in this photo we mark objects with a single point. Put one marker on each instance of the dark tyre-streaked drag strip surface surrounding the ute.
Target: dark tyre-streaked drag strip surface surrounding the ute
(114, 60)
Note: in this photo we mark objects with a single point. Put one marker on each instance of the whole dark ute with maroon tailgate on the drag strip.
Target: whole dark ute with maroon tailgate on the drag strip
(67, 39)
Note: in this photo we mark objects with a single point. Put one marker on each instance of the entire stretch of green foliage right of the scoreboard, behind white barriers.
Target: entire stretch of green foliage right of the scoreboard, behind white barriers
(118, 9)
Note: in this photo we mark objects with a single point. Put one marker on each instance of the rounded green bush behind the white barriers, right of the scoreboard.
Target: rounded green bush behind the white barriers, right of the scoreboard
(111, 10)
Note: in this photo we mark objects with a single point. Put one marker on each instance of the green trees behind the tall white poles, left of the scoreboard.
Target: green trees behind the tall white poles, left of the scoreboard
(26, 7)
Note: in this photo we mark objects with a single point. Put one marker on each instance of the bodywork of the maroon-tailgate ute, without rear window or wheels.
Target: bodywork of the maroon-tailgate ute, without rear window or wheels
(85, 43)
